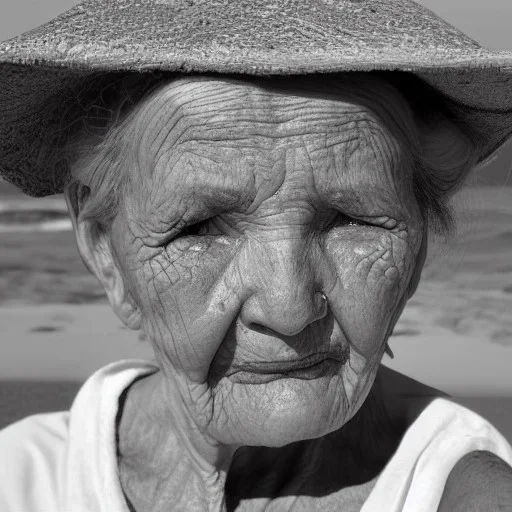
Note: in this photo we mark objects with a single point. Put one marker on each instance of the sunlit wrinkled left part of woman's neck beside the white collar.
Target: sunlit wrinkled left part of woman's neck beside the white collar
(163, 457)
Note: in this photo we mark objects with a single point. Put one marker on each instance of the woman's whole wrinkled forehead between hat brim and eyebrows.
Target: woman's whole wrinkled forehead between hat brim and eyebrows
(221, 143)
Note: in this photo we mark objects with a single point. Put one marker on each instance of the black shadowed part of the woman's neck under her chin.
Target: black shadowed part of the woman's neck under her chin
(343, 465)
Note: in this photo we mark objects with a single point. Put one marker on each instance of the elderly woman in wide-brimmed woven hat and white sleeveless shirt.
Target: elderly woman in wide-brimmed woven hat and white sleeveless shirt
(264, 226)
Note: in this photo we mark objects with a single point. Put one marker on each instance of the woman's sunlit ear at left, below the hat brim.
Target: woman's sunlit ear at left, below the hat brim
(96, 251)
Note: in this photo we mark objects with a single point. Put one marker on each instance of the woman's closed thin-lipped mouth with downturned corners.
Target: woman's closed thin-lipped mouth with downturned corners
(308, 368)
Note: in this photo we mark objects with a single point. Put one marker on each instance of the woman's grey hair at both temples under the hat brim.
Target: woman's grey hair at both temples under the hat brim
(100, 152)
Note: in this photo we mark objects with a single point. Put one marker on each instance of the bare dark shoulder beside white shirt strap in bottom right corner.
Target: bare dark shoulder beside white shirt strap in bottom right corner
(480, 481)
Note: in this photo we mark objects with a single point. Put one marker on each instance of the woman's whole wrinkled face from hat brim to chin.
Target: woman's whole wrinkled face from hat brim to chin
(245, 204)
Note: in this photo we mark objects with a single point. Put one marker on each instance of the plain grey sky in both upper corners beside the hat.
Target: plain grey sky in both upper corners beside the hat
(488, 22)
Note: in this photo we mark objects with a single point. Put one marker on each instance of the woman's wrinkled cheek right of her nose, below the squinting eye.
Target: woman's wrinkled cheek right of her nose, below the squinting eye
(373, 270)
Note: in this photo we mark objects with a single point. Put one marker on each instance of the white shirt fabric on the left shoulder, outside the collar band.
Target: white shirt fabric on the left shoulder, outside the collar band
(31, 456)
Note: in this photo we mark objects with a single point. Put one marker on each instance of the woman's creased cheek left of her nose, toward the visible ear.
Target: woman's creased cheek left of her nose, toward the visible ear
(180, 286)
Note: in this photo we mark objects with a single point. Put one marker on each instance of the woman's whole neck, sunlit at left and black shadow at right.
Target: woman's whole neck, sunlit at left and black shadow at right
(165, 462)
